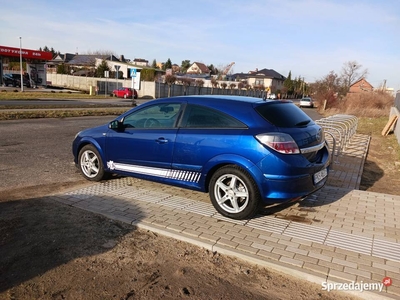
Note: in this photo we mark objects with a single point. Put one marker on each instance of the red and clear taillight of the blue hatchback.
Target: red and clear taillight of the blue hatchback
(280, 142)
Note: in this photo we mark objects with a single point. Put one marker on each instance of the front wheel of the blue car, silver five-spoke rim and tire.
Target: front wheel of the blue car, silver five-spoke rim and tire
(90, 163)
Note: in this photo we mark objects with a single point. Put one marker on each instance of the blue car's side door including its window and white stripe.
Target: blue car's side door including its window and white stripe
(146, 141)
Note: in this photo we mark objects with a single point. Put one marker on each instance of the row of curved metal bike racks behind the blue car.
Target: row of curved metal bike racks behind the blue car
(338, 131)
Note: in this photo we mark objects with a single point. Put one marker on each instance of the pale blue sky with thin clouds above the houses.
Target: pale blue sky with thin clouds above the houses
(310, 38)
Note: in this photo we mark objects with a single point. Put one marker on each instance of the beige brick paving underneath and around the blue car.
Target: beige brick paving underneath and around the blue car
(339, 234)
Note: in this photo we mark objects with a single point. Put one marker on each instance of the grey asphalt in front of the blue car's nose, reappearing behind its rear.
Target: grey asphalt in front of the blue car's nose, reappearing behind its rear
(38, 151)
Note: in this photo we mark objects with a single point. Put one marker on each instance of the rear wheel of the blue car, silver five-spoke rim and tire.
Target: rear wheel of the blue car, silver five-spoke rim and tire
(233, 193)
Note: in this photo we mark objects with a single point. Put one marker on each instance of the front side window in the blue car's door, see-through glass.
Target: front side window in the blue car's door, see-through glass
(155, 116)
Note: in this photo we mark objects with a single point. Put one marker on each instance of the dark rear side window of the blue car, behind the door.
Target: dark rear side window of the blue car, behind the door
(204, 117)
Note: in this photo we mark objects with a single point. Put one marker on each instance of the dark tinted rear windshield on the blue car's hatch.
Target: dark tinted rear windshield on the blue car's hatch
(284, 114)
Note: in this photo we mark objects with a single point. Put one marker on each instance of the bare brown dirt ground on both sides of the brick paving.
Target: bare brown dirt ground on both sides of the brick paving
(52, 251)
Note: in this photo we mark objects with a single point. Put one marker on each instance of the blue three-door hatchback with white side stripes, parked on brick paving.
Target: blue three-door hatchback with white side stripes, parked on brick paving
(244, 151)
